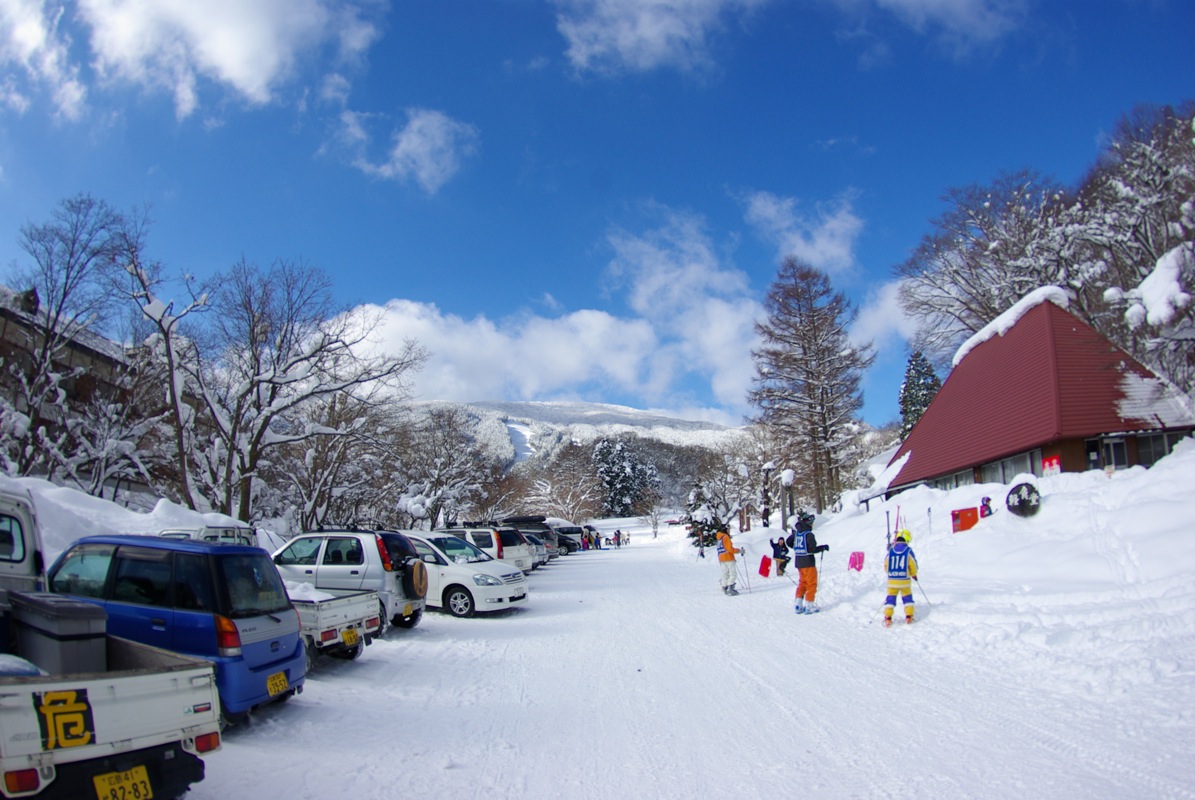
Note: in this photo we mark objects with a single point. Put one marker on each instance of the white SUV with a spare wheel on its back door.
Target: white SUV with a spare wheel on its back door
(377, 561)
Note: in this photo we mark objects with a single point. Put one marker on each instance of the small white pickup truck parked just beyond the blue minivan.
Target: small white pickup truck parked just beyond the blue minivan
(335, 622)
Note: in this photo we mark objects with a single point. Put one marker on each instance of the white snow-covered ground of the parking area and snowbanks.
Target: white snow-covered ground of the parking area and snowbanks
(1056, 658)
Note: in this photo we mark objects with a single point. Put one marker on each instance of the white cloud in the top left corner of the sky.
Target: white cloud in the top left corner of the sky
(32, 42)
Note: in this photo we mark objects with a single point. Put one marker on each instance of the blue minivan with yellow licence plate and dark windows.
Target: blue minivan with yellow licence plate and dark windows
(225, 603)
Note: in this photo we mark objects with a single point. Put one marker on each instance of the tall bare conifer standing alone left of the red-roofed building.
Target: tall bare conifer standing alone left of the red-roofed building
(808, 374)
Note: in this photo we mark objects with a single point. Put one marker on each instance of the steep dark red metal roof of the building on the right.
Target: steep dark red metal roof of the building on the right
(1050, 377)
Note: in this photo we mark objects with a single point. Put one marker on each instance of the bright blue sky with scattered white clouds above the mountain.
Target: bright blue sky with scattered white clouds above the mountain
(571, 199)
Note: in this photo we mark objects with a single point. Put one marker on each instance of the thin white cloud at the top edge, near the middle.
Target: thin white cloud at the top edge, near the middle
(641, 35)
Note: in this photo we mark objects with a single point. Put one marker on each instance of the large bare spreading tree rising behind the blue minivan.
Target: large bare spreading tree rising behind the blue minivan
(237, 386)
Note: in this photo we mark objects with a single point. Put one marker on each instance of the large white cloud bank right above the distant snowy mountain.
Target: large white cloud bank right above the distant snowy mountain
(682, 347)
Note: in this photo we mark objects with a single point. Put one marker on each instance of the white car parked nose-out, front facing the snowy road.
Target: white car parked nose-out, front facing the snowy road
(463, 581)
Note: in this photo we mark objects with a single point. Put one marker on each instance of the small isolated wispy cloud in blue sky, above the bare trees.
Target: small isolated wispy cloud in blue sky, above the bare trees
(430, 150)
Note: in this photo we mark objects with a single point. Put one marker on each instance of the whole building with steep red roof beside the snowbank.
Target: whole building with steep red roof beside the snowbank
(1040, 392)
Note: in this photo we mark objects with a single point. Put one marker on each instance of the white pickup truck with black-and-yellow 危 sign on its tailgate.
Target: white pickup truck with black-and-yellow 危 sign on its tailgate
(84, 714)
